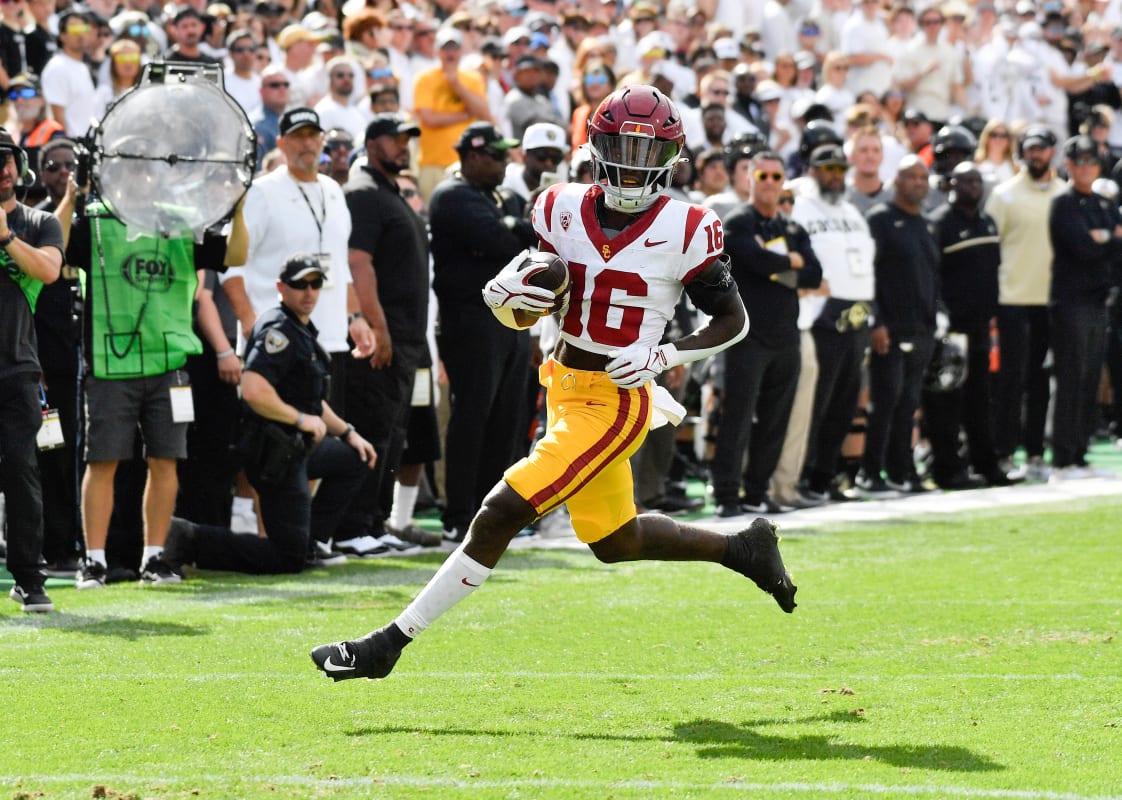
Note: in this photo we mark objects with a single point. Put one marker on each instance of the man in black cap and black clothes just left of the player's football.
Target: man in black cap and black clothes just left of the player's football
(476, 229)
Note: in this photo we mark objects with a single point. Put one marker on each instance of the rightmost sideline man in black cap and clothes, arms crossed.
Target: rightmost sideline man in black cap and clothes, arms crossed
(1086, 231)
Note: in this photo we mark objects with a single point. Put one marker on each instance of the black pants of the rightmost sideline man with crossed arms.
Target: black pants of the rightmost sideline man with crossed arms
(1079, 347)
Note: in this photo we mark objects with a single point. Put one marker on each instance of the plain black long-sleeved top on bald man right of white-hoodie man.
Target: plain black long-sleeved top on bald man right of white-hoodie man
(907, 271)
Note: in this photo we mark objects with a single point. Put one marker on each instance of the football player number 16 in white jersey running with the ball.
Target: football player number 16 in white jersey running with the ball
(631, 251)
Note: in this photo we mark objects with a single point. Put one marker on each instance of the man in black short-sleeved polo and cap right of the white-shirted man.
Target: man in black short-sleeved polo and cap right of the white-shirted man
(389, 259)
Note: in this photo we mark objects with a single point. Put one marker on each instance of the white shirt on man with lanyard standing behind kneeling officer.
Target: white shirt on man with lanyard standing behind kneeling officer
(281, 218)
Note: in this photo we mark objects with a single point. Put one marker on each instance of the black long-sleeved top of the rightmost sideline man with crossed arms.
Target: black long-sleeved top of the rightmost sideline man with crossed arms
(1082, 266)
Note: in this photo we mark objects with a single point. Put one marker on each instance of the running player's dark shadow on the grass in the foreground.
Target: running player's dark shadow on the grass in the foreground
(720, 740)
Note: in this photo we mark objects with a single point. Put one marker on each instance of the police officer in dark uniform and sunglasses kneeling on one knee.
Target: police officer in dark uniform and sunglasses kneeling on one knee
(290, 436)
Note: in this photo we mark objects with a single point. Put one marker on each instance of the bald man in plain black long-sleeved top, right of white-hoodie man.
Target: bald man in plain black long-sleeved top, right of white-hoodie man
(907, 269)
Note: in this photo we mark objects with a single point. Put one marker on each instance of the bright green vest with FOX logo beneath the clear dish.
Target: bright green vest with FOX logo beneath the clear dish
(141, 289)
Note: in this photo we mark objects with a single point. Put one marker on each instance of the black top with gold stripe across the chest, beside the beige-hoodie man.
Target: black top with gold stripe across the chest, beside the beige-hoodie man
(971, 256)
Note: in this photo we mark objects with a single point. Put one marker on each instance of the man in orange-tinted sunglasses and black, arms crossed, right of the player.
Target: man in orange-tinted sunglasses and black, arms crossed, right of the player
(771, 260)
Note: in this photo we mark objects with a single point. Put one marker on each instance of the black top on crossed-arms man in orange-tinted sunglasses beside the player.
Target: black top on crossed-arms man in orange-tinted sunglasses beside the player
(772, 308)
